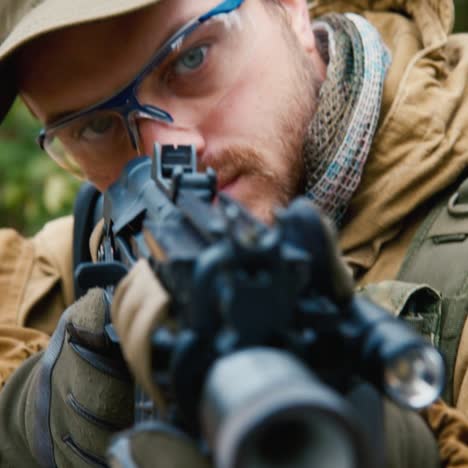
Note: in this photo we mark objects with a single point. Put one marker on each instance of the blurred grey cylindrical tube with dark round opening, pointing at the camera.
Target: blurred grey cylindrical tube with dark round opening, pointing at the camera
(262, 408)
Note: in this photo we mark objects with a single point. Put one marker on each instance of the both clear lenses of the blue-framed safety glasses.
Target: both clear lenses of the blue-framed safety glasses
(199, 70)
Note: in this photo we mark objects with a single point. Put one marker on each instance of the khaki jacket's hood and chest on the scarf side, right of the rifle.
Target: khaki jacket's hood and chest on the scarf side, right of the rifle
(420, 149)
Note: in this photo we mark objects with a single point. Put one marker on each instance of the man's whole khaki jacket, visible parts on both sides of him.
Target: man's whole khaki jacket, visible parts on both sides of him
(419, 149)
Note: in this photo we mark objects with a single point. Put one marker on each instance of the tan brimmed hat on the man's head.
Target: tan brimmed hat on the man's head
(23, 20)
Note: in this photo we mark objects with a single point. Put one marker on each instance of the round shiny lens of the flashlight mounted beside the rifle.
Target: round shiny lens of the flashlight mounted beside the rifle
(415, 377)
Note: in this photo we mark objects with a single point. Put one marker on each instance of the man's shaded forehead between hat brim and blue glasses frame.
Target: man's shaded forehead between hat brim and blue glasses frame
(95, 59)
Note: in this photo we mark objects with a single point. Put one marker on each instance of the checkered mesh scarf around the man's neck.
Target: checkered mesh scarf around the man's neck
(341, 132)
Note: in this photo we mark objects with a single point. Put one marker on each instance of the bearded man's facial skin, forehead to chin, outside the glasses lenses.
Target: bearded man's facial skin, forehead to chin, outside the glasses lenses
(252, 136)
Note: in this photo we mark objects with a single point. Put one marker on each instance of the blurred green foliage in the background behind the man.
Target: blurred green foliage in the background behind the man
(33, 189)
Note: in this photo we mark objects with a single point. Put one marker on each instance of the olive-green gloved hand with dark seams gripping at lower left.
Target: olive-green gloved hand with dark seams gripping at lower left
(61, 406)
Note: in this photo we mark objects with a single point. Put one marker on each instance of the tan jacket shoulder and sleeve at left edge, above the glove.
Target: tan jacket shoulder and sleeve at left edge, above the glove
(35, 288)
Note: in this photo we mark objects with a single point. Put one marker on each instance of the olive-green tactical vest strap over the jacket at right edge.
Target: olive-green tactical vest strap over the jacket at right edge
(438, 256)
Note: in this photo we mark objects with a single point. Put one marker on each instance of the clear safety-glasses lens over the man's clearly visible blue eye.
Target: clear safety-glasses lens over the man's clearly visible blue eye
(201, 69)
